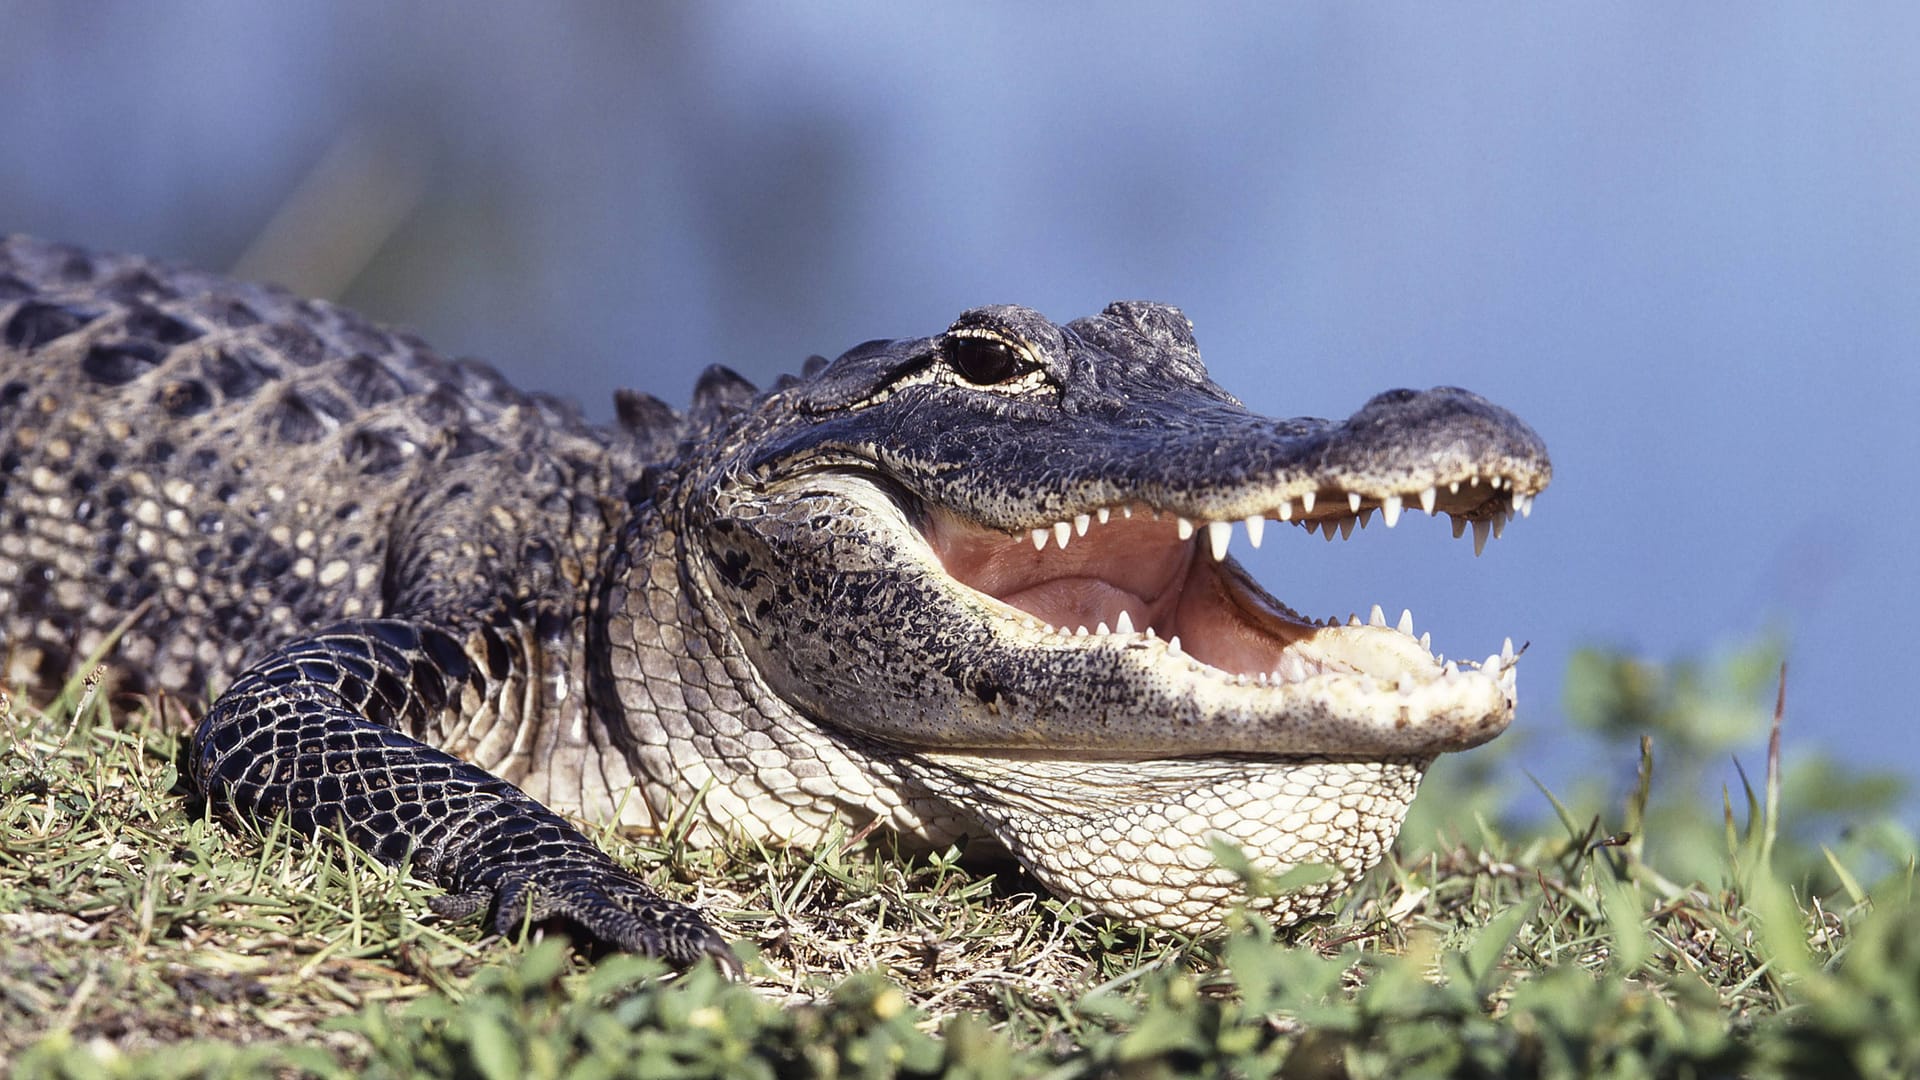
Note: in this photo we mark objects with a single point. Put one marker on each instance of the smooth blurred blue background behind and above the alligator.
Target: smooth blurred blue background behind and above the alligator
(1681, 241)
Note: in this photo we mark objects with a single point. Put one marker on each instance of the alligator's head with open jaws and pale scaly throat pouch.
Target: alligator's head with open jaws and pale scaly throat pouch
(997, 564)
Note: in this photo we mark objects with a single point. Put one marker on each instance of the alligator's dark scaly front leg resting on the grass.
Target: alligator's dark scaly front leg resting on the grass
(310, 733)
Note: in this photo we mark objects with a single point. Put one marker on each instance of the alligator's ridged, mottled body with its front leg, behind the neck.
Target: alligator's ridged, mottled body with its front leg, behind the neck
(373, 545)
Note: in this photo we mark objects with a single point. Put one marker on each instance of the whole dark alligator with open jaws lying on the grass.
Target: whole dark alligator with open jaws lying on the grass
(972, 585)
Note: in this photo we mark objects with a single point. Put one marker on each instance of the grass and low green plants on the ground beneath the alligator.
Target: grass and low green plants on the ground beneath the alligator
(1641, 931)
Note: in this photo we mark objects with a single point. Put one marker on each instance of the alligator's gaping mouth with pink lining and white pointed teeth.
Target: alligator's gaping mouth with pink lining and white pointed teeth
(1157, 579)
